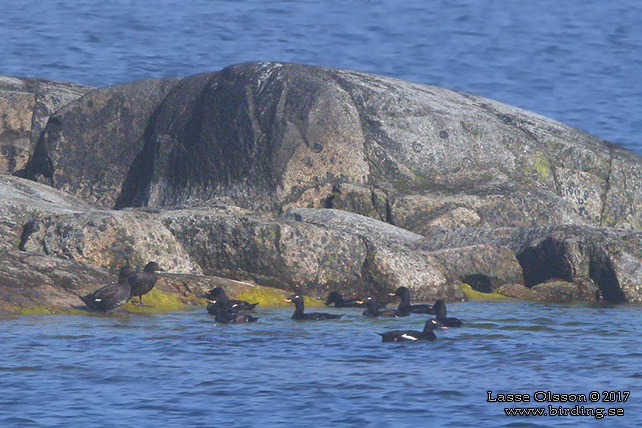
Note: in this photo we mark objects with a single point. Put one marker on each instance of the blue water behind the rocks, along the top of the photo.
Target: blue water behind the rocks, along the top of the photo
(578, 62)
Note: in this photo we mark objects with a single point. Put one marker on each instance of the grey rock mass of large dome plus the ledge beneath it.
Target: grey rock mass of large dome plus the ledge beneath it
(311, 179)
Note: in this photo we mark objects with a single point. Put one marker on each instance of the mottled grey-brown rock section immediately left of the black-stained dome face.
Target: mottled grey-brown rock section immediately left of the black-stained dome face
(88, 147)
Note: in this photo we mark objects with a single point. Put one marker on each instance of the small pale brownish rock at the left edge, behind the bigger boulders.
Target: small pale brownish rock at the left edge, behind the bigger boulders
(25, 107)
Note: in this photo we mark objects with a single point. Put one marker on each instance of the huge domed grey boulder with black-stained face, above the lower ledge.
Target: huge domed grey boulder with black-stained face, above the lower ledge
(272, 136)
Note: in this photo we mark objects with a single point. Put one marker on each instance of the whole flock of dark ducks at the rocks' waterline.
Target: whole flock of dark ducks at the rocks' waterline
(132, 283)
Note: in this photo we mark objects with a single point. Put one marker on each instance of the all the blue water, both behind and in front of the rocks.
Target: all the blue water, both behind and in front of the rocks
(577, 61)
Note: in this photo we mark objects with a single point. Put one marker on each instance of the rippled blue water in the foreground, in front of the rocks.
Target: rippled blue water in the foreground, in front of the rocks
(183, 369)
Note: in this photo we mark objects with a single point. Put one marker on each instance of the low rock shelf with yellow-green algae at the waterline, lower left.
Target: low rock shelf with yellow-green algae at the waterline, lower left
(38, 284)
